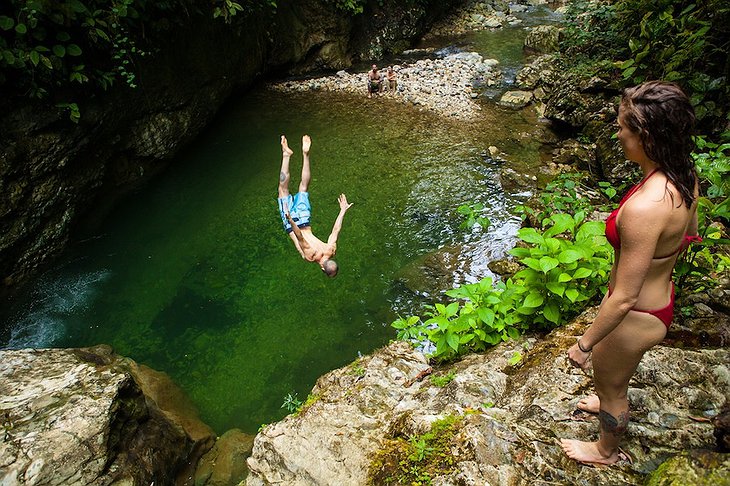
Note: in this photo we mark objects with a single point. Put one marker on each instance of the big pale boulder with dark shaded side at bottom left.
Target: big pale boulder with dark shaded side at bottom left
(79, 417)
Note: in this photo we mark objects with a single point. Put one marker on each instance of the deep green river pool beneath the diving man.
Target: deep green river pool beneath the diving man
(193, 275)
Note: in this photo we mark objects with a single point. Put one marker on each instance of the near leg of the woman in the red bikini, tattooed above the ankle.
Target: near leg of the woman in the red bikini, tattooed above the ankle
(615, 359)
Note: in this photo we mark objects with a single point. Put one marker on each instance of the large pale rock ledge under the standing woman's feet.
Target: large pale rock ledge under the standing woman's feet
(511, 415)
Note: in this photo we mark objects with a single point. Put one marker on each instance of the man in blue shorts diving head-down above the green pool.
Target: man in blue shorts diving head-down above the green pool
(296, 211)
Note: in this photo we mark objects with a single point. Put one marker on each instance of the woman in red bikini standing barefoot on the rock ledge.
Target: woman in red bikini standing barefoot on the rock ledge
(653, 224)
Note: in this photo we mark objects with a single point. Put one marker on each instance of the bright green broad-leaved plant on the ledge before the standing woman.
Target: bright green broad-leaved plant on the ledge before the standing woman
(565, 266)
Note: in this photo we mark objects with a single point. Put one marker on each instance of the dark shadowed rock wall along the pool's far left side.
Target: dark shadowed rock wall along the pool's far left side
(55, 175)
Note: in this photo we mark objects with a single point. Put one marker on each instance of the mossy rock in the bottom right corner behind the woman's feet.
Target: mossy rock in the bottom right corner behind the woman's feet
(698, 468)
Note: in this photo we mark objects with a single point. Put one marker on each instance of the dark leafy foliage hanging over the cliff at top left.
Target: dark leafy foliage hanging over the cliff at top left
(62, 50)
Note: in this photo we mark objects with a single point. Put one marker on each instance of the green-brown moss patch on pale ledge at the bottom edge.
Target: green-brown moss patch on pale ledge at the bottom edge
(417, 459)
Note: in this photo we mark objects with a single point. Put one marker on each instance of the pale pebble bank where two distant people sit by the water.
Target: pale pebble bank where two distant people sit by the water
(444, 86)
